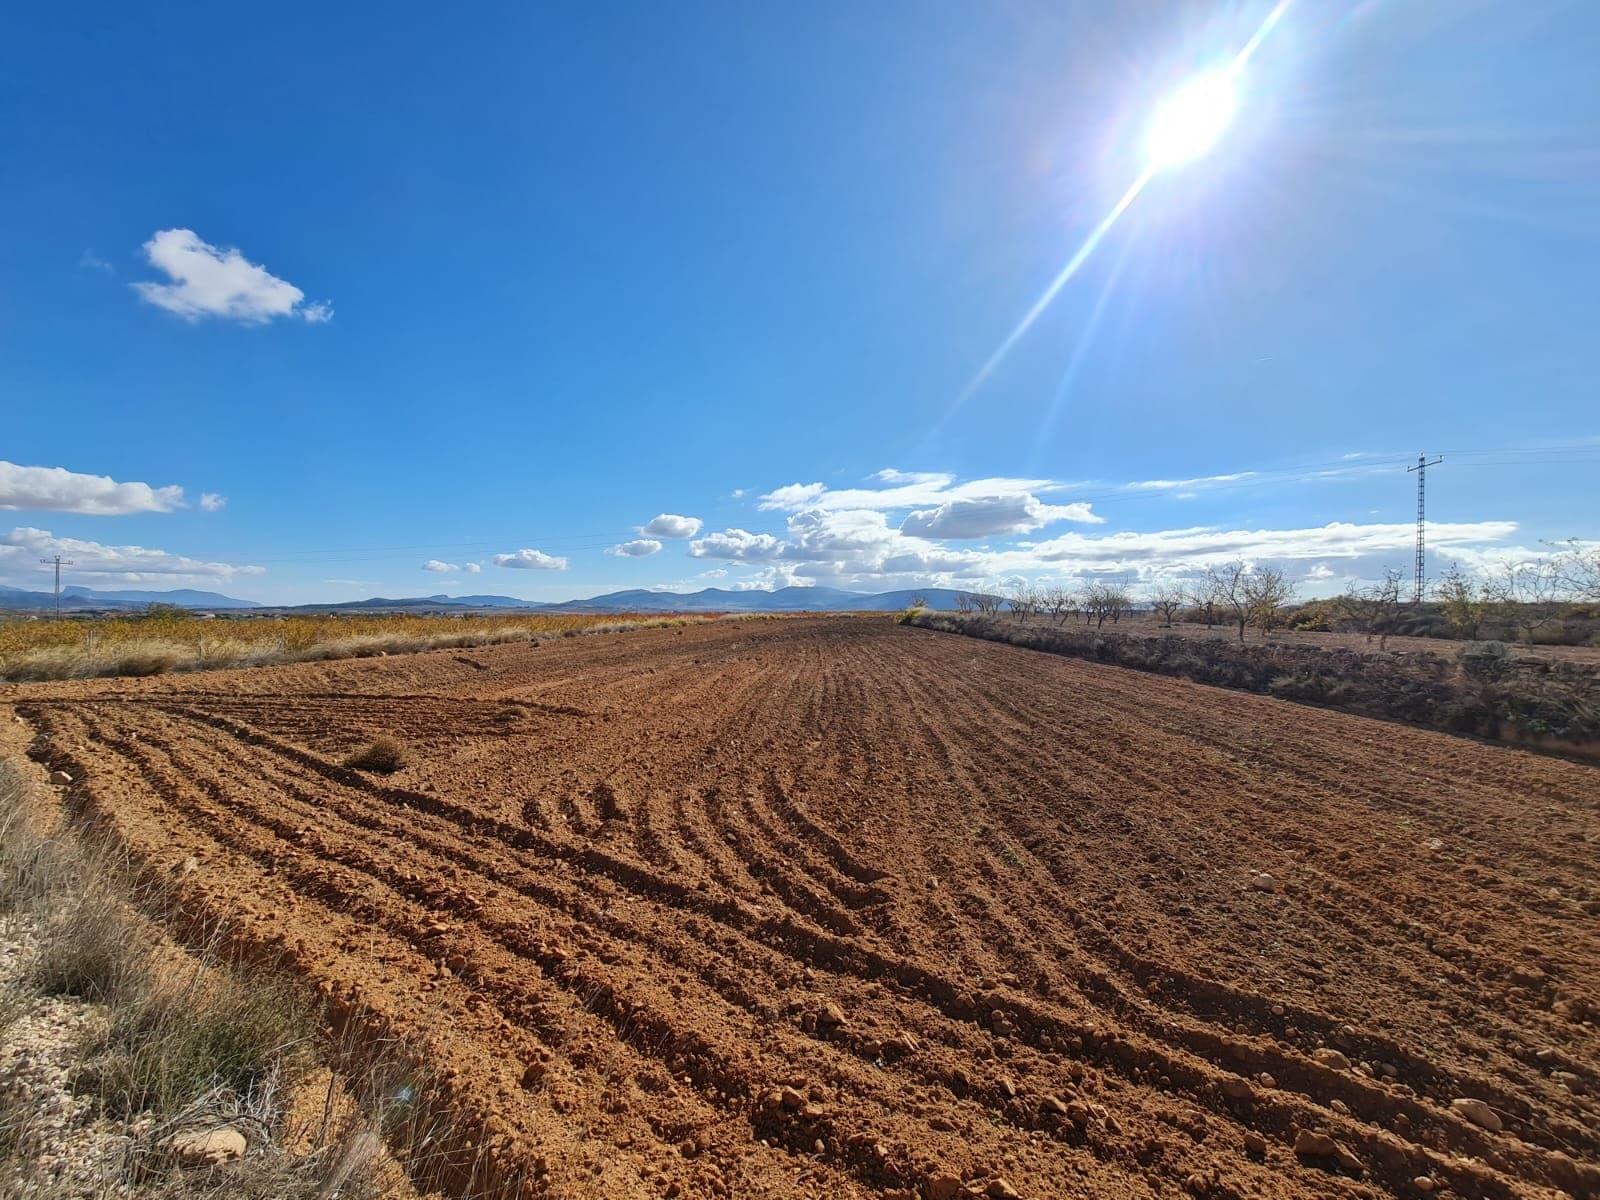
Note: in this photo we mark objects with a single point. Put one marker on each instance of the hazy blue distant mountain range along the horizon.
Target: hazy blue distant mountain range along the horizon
(634, 601)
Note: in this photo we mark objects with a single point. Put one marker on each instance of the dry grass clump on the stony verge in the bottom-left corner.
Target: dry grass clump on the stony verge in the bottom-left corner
(183, 1042)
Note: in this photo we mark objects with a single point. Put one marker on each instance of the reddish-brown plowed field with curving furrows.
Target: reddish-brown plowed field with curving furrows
(839, 908)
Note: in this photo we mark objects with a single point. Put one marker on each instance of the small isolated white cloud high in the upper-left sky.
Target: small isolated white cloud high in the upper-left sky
(214, 282)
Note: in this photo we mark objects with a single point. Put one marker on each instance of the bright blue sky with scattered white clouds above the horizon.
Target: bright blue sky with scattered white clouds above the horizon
(498, 292)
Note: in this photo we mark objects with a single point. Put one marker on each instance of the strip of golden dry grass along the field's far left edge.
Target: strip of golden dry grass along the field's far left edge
(134, 646)
